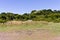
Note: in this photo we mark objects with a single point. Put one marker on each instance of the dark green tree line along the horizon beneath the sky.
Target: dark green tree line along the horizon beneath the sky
(35, 15)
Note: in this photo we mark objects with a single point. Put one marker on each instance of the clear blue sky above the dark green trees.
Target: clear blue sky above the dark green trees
(26, 6)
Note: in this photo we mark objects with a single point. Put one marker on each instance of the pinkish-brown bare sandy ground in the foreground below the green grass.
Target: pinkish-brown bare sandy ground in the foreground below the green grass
(28, 35)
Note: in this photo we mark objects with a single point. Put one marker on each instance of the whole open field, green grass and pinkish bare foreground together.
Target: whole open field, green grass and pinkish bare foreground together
(25, 31)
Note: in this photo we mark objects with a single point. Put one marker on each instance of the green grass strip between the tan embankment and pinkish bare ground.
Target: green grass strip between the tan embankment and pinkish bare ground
(53, 27)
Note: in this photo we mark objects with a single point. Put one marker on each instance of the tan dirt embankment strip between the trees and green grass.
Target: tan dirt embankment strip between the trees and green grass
(23, 22)
